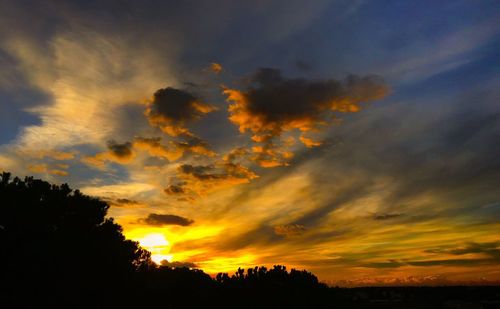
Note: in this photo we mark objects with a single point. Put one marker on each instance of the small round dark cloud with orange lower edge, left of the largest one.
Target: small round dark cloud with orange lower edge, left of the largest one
(171, 109)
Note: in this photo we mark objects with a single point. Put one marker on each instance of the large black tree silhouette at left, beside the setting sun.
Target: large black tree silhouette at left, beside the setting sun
(58, 246)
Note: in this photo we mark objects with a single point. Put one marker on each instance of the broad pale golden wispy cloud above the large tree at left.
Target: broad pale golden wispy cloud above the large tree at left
(86, 86)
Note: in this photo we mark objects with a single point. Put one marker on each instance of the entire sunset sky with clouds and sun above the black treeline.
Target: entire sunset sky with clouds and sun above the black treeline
(359, 140)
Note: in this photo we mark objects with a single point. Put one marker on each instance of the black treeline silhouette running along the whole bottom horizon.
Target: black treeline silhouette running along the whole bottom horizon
(59, 250)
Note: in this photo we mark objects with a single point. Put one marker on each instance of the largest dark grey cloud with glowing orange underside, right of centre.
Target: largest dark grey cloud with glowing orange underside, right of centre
(273, 104)
